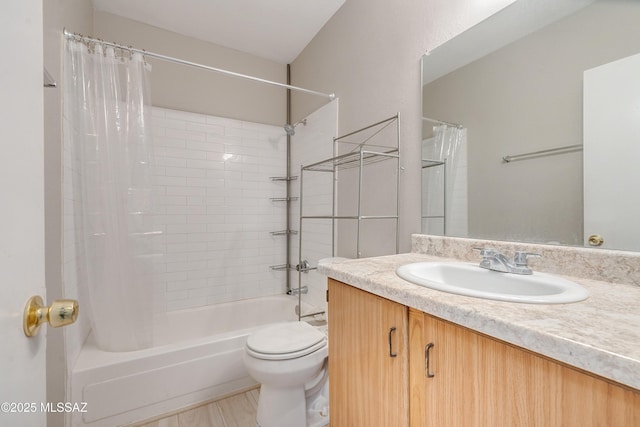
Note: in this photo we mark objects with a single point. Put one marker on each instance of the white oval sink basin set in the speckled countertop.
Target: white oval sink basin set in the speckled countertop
(471, 280)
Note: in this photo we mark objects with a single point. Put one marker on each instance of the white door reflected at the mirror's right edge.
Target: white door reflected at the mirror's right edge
(611, 152)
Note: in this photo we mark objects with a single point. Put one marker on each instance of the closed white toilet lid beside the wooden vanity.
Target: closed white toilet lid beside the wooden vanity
(286, 340)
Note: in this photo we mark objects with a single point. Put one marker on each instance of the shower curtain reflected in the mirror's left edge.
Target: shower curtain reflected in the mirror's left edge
(444, 211)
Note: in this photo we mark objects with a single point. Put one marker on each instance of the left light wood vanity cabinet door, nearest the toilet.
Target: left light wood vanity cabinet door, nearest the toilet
(368, 359)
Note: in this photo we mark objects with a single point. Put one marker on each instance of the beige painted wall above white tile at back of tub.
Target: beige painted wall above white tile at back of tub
(189, 89)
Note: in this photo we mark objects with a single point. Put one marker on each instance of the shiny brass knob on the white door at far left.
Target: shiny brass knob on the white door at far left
(61, 312)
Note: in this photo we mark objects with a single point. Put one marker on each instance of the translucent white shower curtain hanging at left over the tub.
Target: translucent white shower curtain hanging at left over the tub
(106, 126)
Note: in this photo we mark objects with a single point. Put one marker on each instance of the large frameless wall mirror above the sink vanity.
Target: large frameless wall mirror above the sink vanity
(503, 124)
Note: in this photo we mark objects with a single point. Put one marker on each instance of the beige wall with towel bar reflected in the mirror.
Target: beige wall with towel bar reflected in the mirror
(526, 97)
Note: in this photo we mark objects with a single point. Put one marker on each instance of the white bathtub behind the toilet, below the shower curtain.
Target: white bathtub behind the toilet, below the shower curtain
(197, 357)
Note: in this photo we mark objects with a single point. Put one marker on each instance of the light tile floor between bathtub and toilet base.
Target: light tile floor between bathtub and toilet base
(234, 411)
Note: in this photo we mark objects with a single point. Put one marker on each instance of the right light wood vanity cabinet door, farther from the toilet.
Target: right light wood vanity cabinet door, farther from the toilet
(481, 381)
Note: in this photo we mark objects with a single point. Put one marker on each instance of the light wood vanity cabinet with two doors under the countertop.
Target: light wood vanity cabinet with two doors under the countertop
(447, 375)
